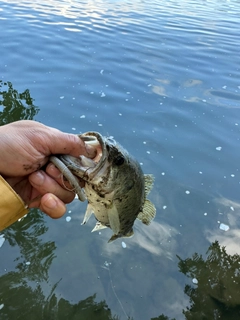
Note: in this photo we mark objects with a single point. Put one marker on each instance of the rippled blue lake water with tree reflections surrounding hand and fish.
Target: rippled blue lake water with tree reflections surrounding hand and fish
(163, 78)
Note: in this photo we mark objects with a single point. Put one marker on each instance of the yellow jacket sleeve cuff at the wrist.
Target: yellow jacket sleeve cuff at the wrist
(12, 206)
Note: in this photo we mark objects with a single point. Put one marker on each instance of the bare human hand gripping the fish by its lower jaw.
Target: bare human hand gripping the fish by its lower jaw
(25, 148)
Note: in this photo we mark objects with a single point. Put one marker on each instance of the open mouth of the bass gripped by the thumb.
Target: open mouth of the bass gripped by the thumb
(84, 167)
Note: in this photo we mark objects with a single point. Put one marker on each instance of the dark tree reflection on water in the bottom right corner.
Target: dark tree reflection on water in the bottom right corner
(217, 293)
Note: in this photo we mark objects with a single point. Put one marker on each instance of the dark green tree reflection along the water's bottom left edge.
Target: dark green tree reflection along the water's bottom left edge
(34, 305)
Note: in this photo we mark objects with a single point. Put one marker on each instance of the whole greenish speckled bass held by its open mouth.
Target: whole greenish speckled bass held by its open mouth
(115, 186)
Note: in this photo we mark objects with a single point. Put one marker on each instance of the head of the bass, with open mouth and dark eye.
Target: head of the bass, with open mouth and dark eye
(110, 169)
